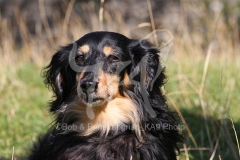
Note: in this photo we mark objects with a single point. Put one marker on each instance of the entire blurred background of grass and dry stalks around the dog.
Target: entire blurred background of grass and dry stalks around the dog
(200, 48)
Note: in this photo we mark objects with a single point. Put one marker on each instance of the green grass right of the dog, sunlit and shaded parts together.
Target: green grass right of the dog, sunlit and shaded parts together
(220, 99)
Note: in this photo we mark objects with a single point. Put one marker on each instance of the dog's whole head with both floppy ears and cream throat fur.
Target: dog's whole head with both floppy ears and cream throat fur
(115, 76)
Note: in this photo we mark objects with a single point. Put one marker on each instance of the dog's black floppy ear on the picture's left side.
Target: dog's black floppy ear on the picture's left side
(60, 77)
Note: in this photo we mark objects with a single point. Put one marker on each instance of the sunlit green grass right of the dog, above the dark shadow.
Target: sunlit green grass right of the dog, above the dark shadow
(221, 87)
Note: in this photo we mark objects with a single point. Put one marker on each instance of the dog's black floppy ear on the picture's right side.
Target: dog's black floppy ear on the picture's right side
(145, 61)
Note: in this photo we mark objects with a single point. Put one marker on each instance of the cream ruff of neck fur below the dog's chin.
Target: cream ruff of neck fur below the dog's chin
(111, 116)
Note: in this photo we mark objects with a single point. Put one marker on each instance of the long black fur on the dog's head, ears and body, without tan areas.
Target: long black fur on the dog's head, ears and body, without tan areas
(158, 138)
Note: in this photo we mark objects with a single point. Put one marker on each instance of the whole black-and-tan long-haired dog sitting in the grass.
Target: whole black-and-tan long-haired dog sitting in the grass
(108, 103)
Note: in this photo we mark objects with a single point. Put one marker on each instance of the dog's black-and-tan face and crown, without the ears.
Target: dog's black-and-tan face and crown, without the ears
(104, 64)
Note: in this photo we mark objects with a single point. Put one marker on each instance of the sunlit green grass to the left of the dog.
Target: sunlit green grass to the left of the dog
(23, 103)
